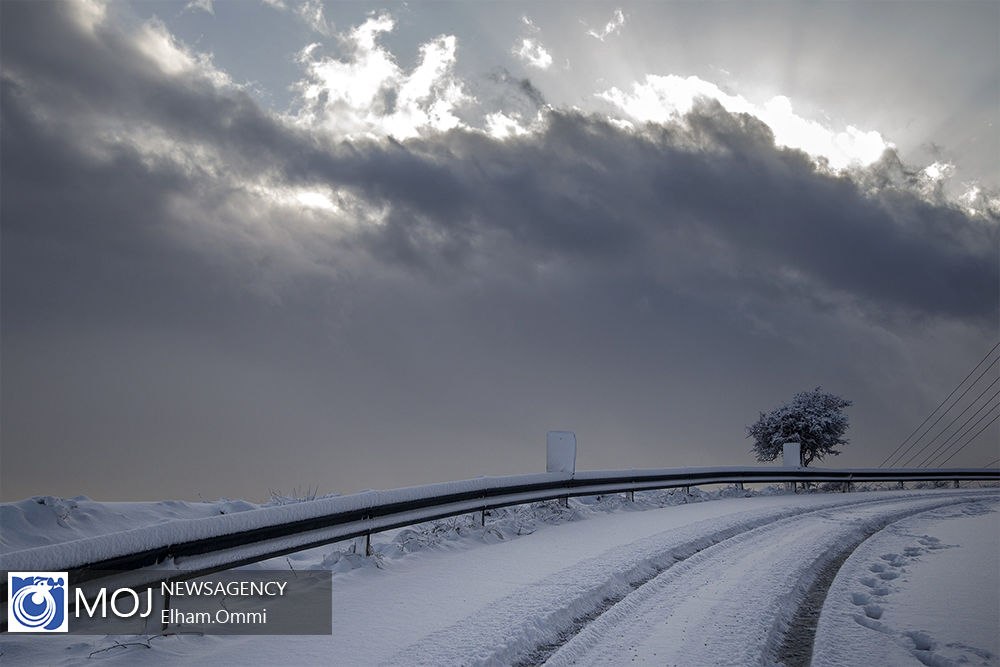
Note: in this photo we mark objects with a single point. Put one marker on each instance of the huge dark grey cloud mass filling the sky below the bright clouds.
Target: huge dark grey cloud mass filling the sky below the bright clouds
(652, 287)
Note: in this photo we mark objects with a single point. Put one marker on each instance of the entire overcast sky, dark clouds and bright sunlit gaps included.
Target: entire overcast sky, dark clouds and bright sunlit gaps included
(285, 244)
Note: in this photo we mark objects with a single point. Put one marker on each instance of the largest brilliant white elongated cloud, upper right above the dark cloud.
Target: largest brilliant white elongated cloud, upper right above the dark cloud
(665, 98)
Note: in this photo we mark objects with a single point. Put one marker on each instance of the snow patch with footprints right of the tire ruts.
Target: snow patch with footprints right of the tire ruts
(926, 588)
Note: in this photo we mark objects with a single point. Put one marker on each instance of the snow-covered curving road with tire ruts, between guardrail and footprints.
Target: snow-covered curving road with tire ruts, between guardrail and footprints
(708, 583)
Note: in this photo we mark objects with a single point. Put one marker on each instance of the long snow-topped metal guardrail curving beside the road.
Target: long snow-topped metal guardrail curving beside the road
(229, 541)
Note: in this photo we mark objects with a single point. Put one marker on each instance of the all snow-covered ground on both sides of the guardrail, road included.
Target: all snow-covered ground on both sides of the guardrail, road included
(885, 577)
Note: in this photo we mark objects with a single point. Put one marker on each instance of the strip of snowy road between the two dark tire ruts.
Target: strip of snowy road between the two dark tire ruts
(760, 623)
